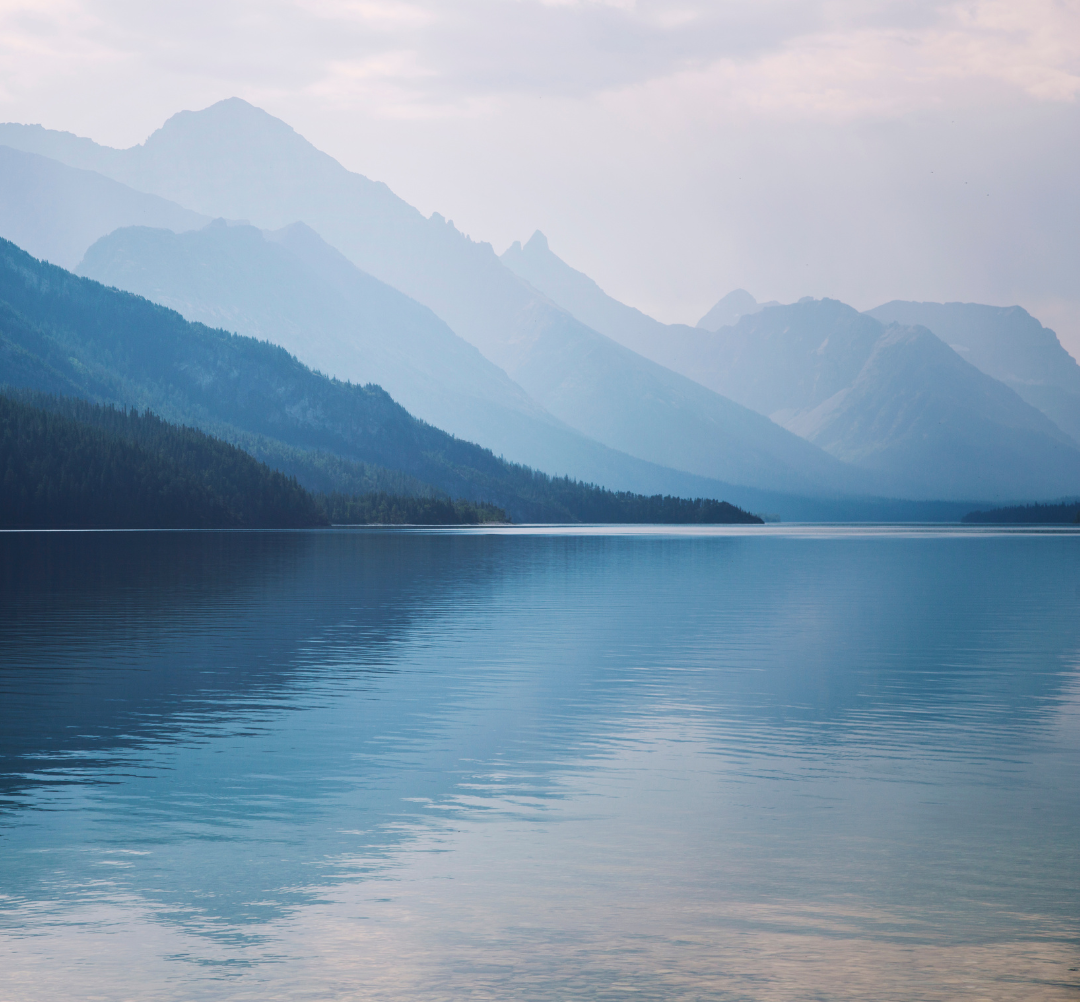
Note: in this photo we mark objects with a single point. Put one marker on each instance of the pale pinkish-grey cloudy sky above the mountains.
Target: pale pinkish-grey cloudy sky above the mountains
(672, 151)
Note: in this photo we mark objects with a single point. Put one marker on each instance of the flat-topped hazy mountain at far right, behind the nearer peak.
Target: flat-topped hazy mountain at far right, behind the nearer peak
(1008, 344)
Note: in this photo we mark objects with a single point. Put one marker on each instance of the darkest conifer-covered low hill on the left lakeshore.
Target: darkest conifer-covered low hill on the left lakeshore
(83, 466)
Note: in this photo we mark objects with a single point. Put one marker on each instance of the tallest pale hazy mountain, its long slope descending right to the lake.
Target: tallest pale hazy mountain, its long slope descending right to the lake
(235, 161)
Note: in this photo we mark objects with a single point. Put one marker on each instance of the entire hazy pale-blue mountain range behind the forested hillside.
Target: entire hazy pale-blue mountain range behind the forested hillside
(528, 356)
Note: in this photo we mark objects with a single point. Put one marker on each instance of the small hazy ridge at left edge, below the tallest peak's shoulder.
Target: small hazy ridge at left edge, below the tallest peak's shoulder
(57, 212)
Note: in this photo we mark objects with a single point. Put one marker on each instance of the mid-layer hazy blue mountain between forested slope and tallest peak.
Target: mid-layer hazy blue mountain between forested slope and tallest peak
(292, 289)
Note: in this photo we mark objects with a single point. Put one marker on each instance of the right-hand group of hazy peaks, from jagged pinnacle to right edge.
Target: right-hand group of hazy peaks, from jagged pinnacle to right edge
(996, 408)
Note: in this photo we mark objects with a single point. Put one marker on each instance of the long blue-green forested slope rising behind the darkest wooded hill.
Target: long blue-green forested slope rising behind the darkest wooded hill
(69, 335)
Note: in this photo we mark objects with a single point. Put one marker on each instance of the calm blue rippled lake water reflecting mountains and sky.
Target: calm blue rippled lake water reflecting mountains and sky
(765, 763)
